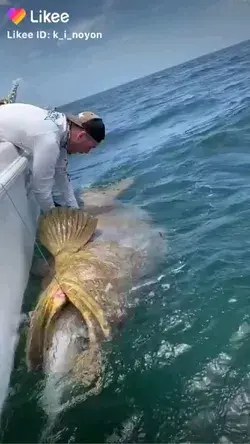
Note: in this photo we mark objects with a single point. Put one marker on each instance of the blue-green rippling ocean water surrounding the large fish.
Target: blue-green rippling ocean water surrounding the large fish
(180, 369)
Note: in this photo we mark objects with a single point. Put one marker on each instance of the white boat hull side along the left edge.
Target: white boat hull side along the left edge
(18, 218)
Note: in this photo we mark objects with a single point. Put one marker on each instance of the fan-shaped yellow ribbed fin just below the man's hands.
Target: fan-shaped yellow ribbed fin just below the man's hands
(65, 229)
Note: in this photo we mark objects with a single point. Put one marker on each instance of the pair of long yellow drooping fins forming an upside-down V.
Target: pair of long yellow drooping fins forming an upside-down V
(50, 307)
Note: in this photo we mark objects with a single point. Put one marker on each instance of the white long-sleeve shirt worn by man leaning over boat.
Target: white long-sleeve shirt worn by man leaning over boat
(41, 135)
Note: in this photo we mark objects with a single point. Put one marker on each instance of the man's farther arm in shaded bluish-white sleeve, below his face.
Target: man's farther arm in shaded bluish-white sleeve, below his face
(63, 189)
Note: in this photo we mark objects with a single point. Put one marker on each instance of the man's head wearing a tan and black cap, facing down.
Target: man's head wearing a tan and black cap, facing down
(87, 130)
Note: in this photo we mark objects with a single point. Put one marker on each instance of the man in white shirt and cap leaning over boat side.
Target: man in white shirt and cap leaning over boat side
(46, 138)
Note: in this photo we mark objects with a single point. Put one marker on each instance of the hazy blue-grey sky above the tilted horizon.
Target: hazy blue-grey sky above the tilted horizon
(115, 41)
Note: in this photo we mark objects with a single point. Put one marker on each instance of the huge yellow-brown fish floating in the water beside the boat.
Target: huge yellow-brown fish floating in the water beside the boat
(99, 253)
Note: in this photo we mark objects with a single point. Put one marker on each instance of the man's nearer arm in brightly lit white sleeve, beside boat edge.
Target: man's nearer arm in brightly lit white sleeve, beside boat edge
(45, 158)
